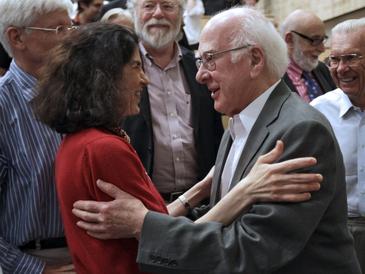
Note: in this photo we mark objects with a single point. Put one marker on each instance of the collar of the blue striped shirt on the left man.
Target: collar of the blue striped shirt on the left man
(24, 80)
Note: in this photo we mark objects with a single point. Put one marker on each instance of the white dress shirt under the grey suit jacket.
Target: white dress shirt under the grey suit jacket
(240, 126)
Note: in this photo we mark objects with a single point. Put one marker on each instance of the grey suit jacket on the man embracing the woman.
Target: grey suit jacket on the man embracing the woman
(282, 238)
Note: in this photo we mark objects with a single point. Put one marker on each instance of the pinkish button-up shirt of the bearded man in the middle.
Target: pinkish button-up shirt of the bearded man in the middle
(175, 165)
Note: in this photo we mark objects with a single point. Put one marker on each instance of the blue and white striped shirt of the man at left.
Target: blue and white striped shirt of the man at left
(28, 204)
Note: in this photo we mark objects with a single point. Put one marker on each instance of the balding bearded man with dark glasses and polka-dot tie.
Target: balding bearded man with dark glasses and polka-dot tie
(304, 34)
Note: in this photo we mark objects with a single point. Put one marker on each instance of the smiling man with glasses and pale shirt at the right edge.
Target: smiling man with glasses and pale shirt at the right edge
(344, 108)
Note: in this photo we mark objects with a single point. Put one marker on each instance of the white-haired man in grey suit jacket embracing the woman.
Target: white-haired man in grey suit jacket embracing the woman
(242, 59)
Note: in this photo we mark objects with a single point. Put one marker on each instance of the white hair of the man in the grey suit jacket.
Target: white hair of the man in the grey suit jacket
(254, 28)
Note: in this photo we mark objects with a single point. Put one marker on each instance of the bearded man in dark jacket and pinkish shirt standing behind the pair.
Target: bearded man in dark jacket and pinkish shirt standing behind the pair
(177, 132)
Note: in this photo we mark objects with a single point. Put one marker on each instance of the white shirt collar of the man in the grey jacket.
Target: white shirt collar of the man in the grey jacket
(243, 122)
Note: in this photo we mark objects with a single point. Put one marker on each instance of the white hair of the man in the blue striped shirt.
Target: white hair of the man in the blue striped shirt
(22, 13)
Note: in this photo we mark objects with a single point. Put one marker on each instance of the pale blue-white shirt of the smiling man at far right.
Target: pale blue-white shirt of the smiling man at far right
(348, 123)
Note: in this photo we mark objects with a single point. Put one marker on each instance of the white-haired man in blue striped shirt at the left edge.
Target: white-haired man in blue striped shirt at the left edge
(31, 230)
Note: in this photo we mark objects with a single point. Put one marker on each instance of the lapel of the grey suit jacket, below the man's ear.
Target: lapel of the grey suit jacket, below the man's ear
(260, 129)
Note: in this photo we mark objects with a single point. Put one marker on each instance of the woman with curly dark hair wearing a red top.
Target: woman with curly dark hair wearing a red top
(92, 81)
